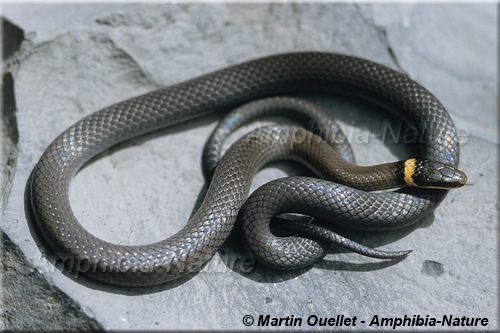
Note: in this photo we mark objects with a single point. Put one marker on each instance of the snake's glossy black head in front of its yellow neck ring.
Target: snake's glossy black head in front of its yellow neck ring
(434, 174)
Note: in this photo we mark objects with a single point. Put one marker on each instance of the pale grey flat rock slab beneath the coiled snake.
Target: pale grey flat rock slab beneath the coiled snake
(89, 56)
